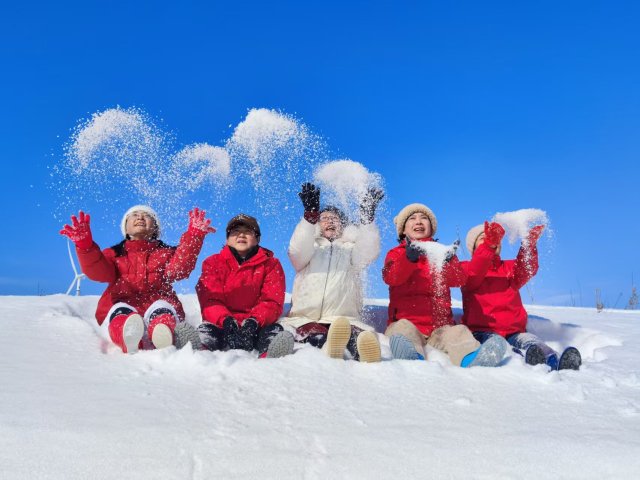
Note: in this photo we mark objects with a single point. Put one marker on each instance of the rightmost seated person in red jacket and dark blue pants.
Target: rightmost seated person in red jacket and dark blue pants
(492, 304)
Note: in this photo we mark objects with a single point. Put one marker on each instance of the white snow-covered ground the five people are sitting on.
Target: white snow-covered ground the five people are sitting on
(74, 407)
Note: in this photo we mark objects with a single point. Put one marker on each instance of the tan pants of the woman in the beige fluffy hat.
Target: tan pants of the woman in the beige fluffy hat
(456, 341)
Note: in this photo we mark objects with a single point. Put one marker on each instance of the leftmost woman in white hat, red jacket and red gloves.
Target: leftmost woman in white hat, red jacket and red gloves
(139, 271)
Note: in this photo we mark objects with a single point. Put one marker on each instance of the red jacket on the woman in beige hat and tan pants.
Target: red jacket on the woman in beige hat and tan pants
(419, 293)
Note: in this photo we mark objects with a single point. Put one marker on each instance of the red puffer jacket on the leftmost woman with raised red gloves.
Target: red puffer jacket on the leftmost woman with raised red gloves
(139, 272)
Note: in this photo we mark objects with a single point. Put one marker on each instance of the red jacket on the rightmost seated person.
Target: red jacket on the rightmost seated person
(492, 301)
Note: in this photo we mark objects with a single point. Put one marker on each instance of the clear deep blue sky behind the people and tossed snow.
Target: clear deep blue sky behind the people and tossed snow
(469, 107)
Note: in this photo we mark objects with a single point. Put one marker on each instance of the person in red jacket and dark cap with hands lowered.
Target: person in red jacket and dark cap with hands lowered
(241, 291)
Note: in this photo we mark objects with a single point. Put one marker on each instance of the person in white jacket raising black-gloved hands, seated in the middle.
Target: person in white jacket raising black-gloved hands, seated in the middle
(329, 257)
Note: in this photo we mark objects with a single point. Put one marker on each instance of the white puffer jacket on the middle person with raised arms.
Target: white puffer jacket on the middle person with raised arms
(328, 282)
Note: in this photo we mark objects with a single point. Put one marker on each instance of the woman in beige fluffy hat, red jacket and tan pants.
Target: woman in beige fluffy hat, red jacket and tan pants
(420, 301)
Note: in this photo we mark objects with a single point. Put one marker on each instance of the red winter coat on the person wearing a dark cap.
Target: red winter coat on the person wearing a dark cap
(253, 289)
